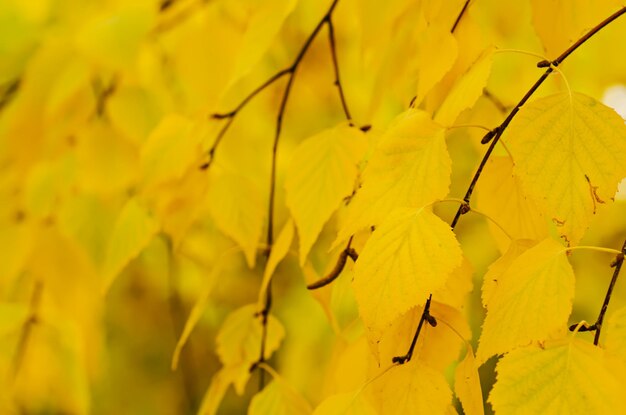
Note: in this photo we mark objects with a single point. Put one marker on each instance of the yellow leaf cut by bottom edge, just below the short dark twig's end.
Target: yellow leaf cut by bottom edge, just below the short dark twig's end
(412, 388)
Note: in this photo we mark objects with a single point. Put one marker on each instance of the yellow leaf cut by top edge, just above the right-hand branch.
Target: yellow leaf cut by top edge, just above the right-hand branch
(561, 23)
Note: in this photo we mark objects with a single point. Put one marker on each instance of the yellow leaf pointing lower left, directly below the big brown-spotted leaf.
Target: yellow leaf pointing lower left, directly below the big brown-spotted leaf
(533, 298)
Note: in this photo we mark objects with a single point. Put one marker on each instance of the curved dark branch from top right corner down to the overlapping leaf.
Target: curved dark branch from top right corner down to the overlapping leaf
(502, 127)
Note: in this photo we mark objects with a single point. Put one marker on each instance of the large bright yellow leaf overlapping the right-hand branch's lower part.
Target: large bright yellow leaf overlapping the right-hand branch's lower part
(409, 256)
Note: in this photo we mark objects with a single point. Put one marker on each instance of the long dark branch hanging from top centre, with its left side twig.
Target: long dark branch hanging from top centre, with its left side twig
(291, 72)
